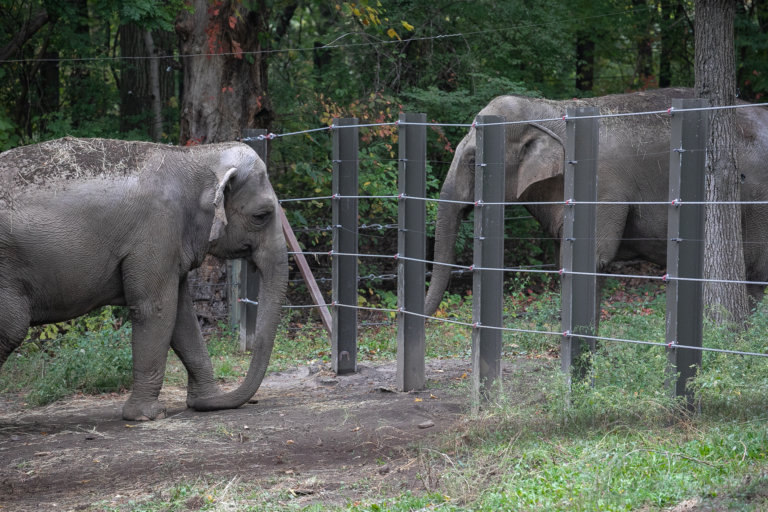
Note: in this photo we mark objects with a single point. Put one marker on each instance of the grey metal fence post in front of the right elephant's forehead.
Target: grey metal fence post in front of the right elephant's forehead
(488, 278)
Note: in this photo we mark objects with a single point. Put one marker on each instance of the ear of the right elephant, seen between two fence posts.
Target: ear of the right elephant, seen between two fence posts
(541, 158)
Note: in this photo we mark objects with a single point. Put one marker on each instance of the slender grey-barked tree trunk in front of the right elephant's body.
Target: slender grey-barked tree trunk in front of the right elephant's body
(716, 81)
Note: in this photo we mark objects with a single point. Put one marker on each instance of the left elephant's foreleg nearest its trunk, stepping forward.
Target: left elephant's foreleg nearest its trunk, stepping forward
(187, 341)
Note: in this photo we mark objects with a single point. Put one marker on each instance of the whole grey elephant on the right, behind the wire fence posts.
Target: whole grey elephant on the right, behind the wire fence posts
(633, 166)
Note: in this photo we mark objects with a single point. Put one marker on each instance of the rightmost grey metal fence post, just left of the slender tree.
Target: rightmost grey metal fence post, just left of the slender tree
(685, 245)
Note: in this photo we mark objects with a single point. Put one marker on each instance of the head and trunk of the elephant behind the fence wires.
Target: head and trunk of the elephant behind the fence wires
(534, 169)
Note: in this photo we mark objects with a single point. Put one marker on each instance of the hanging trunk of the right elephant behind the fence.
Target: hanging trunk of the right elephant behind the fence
(449, 216)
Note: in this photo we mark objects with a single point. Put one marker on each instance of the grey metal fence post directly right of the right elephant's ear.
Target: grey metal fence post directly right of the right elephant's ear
(579, 240)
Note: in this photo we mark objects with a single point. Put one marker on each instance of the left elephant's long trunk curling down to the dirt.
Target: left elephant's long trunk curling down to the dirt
(272, 286)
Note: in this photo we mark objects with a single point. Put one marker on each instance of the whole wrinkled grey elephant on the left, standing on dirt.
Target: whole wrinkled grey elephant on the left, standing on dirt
(90, 222)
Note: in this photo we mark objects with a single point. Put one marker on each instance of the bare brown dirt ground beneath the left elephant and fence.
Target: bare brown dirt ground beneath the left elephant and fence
(311, 433)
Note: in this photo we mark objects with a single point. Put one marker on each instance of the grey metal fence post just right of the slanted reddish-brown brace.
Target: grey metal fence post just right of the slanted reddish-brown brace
(344, 267)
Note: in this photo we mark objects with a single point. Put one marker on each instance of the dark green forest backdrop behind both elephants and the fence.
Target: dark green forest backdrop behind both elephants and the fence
(202, 71)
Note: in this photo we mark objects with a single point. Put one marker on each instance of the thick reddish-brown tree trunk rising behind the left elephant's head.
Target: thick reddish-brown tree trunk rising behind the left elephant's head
(225, 75)
